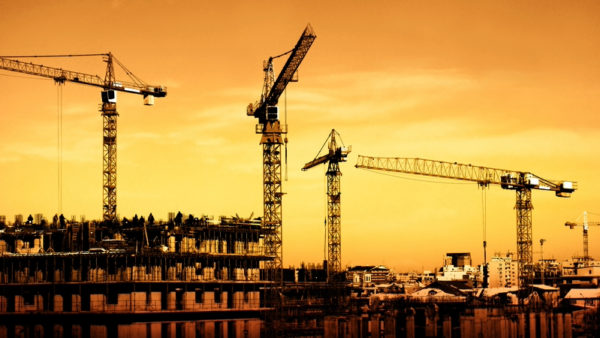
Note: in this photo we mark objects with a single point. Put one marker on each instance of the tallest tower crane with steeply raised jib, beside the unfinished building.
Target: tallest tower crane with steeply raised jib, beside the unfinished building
(269, 126)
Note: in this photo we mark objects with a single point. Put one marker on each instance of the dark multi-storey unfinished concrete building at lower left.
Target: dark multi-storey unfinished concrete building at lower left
(62, 272)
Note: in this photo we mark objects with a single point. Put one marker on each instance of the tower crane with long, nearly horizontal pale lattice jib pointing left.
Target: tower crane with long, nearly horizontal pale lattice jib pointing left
(521, 182)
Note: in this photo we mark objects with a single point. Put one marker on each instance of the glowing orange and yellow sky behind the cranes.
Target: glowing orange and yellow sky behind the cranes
(508, 85)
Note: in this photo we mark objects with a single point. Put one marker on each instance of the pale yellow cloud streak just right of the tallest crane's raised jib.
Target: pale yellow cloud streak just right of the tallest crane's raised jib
(366, 96)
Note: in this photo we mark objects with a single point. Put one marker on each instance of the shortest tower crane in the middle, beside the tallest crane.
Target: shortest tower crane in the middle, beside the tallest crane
(335, 155)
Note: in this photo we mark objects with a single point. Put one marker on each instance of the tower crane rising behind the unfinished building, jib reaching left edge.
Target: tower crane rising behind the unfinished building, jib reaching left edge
(110, 86)
